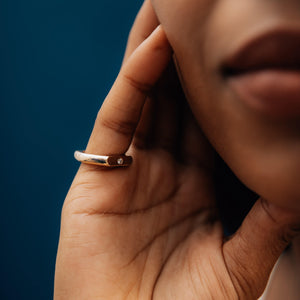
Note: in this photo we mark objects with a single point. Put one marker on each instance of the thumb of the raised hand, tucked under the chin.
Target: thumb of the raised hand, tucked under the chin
(254, 249)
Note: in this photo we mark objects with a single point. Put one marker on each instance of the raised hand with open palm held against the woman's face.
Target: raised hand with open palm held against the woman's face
(150, 231)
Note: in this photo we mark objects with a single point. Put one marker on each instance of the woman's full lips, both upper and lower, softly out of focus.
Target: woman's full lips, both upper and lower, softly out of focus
(265, 73)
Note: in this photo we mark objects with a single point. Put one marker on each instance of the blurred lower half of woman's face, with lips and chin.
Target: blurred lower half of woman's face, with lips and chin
(239, 63)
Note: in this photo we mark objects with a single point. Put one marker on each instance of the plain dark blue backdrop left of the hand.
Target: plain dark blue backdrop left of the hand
(58, 60)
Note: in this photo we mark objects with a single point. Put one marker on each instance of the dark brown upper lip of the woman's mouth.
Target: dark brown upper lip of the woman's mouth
(276, 49)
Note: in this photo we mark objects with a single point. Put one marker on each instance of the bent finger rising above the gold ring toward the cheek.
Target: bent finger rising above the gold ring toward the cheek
(120, 113)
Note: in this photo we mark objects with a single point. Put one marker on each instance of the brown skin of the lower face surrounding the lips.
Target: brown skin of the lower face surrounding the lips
(261, 146)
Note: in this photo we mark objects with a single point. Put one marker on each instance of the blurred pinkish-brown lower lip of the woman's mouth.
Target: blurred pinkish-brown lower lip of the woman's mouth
(274, 92)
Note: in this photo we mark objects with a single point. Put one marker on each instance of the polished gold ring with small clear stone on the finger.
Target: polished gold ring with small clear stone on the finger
(119, 160)
